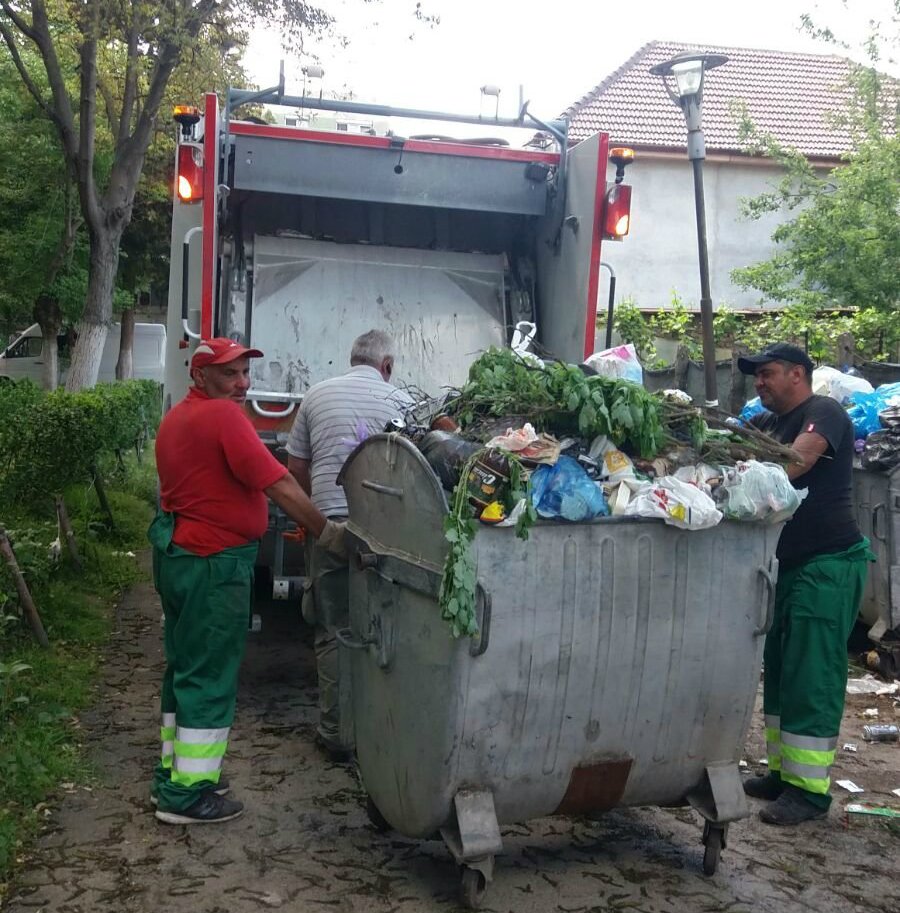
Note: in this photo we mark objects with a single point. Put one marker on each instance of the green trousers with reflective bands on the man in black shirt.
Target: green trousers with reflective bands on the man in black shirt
(816, 604)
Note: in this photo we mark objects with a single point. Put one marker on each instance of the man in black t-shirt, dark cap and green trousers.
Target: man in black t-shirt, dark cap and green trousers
(822, 572)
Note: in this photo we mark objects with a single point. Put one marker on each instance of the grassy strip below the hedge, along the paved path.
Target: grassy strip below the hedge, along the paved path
(42, 690)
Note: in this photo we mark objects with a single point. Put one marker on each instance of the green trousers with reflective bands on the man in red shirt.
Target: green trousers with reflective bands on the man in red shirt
(206, 603)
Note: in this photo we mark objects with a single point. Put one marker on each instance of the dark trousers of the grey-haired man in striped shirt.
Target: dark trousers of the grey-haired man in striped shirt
(326, 603)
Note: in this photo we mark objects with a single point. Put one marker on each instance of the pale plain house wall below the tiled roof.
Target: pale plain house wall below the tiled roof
(660, 253)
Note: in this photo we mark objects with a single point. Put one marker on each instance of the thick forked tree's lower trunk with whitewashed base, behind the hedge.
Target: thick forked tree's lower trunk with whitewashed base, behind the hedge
(93, 327)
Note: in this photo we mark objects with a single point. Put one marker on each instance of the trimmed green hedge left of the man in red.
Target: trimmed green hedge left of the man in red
(59, 437)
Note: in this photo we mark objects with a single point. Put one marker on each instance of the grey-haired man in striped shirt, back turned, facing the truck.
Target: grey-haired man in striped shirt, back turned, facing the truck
(335, 415)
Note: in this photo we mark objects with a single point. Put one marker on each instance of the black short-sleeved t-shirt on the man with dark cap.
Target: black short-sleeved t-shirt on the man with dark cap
(825, 522)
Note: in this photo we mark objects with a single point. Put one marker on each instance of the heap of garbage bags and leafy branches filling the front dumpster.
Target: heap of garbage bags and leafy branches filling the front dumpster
(590, 446)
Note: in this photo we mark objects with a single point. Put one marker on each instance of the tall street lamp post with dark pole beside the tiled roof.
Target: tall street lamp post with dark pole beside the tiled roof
(687, 72)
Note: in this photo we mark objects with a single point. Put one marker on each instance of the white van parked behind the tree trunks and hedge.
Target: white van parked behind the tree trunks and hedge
(22, 357)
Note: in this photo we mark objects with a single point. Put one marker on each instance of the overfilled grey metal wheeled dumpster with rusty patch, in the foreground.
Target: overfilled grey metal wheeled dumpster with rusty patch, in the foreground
(616, 664)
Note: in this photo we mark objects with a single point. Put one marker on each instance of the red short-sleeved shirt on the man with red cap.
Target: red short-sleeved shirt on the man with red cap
(212, 471)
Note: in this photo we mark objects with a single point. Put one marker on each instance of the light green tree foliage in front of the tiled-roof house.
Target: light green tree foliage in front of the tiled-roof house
(842, 248)
